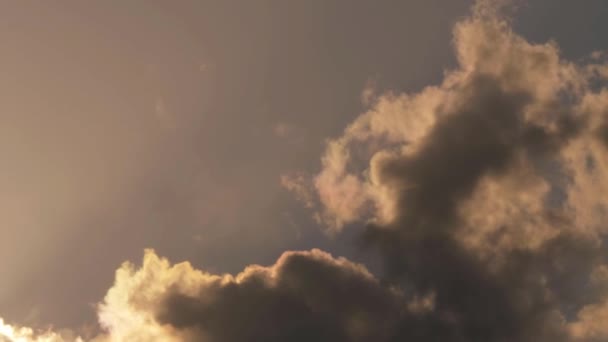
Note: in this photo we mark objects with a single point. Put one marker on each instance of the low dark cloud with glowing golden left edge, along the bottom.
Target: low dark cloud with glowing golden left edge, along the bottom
(304, 296)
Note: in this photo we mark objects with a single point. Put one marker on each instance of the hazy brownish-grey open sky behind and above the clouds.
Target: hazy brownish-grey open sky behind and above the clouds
(168, 125)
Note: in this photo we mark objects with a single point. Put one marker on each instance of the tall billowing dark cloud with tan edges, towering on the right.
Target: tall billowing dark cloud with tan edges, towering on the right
(485, 190)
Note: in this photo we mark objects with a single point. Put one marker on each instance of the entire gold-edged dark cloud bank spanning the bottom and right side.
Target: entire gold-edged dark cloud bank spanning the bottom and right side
(485, 196)
